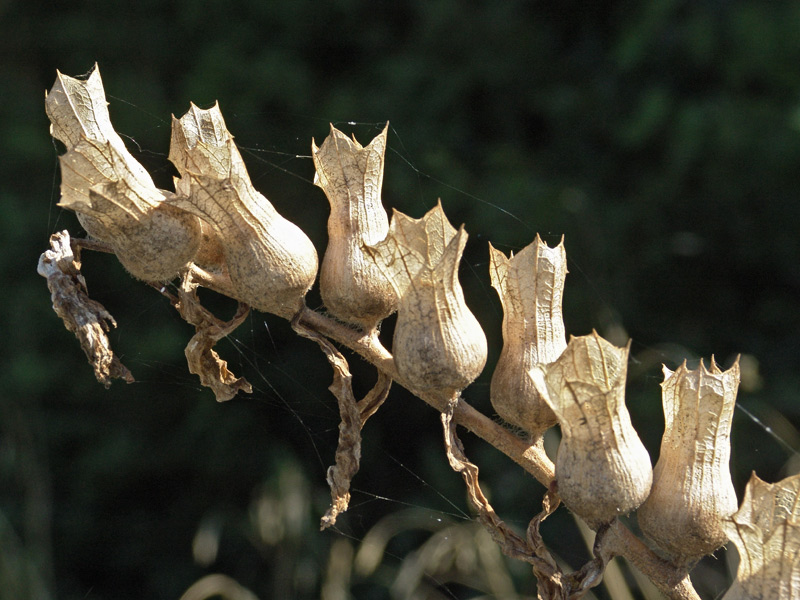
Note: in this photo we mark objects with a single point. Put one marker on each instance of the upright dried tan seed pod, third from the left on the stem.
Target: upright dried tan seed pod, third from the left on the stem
(353, 288)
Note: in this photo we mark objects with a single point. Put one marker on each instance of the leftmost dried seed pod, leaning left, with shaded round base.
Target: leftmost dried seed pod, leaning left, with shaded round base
(112, 194)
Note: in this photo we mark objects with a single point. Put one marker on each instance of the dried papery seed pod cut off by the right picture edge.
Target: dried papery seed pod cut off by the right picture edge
(766, 532)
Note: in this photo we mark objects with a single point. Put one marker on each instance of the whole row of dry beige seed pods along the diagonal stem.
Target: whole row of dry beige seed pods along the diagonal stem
(218, 223)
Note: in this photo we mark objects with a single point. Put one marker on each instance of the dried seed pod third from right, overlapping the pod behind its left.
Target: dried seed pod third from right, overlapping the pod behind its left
(602, 468)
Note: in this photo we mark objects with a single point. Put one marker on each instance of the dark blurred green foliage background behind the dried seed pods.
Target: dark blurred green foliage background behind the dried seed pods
(662, 139)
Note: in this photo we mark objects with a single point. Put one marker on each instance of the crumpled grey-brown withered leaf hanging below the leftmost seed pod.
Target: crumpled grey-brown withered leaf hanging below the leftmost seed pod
(84, 317)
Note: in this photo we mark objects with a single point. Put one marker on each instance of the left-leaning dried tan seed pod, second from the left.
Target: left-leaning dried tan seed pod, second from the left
(271, 262)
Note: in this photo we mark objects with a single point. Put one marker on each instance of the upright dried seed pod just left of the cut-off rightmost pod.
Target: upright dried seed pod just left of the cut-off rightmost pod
(692, 491)
